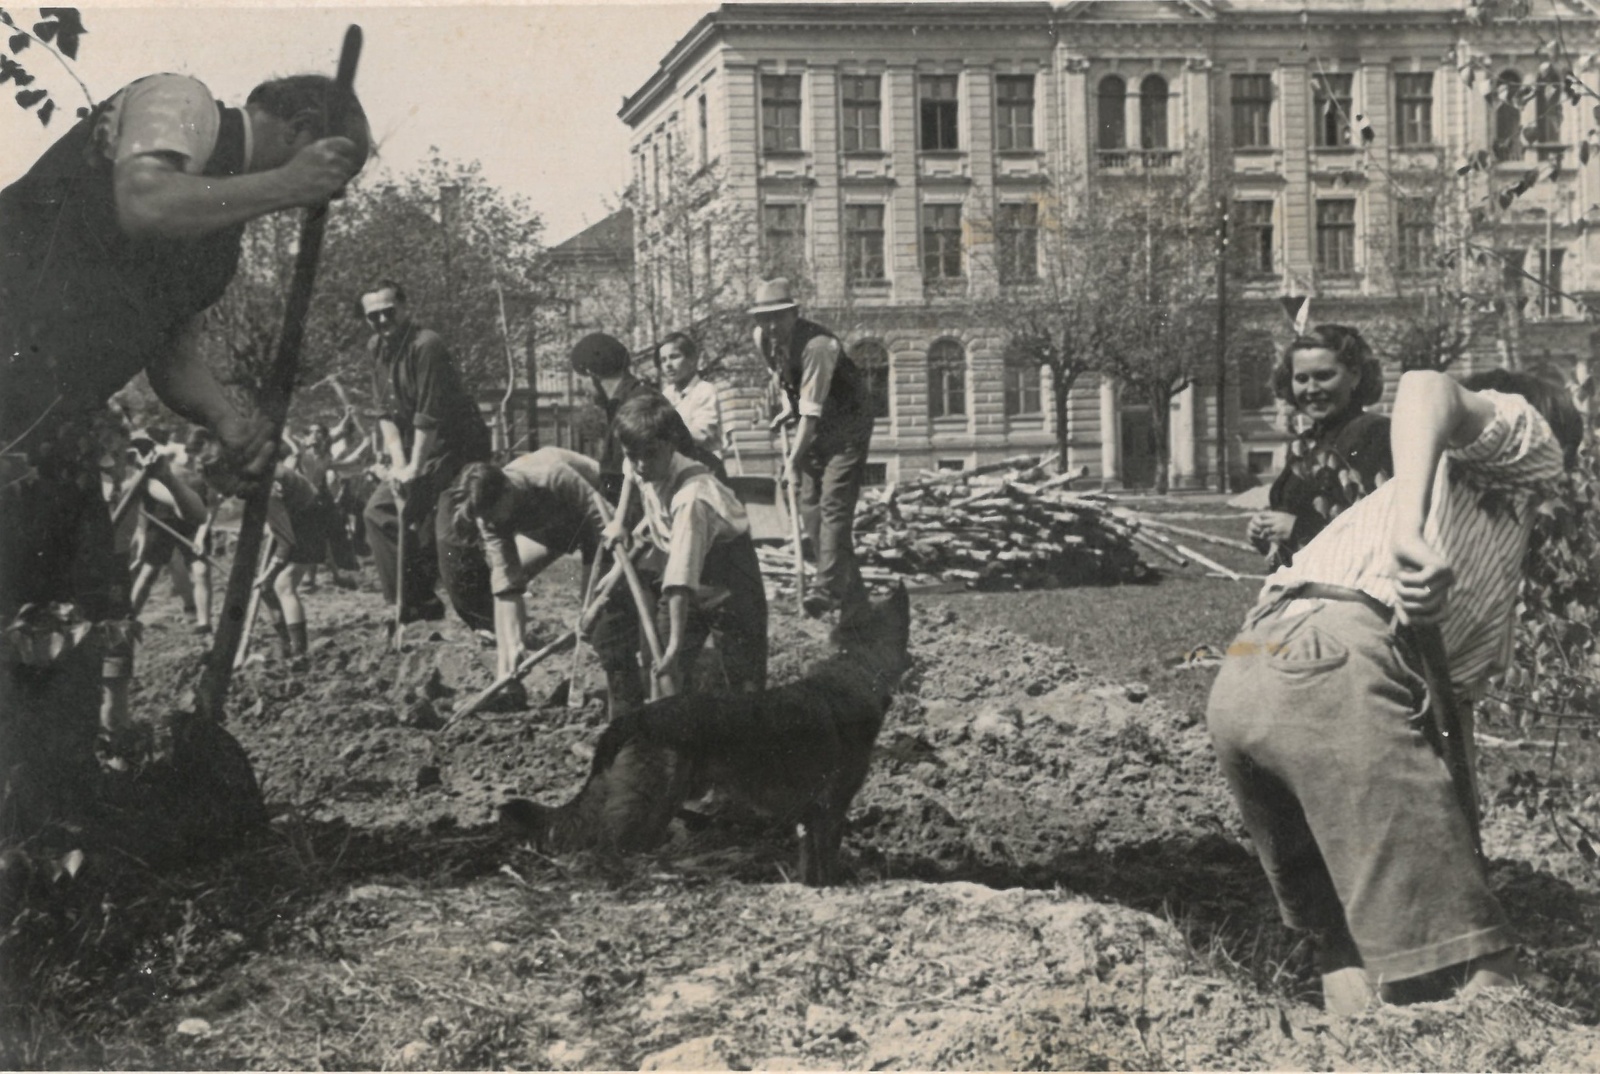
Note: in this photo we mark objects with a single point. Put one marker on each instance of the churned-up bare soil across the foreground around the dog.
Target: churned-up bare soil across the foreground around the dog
(1044, 872)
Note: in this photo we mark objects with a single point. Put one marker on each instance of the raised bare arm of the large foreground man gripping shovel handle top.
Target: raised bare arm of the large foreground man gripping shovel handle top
(158, 199)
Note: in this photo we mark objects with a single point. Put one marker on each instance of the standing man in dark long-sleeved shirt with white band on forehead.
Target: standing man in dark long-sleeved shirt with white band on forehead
(431, 428)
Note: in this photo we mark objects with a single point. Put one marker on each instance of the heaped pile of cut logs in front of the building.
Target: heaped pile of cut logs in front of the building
(1006, 526)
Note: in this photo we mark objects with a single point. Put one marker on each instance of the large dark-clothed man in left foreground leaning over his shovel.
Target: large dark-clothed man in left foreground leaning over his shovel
(111, 249)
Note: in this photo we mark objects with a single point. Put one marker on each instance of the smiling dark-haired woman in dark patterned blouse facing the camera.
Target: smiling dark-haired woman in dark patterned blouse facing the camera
(1330, 375)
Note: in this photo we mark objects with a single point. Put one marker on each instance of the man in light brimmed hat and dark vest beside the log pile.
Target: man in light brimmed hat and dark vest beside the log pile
(825, 399)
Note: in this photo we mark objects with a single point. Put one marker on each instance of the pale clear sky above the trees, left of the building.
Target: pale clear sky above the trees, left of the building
(530, 90)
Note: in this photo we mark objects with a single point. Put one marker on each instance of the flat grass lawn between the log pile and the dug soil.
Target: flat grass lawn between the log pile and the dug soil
(1137, 633)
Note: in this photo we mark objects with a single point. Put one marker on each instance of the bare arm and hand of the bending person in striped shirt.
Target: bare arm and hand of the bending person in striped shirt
(1433, 414)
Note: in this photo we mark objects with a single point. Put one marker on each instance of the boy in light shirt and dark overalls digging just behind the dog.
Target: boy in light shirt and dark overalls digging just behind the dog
(698, 527)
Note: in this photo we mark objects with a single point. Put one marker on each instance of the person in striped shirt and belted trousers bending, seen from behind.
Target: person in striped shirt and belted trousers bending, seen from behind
(1330, 715)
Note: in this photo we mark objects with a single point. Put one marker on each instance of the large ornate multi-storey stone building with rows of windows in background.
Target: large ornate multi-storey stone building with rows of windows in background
(898, 156)
